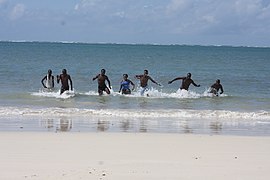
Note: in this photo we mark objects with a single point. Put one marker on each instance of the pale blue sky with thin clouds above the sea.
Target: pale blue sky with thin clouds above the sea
(191, 22)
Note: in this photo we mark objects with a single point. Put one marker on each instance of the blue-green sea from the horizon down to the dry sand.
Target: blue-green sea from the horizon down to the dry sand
(243, 108)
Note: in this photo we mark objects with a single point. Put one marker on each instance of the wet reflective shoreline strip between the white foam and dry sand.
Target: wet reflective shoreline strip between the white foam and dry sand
(92, 124)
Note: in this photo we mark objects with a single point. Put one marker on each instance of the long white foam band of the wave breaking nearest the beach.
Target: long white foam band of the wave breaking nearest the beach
(124, 113)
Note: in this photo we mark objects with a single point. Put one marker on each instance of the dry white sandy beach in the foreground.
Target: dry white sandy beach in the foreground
(122, 156)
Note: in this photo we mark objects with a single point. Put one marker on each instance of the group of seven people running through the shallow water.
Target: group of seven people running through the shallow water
(125, 83)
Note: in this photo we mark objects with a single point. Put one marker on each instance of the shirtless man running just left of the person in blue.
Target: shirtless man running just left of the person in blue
(101, 82)
